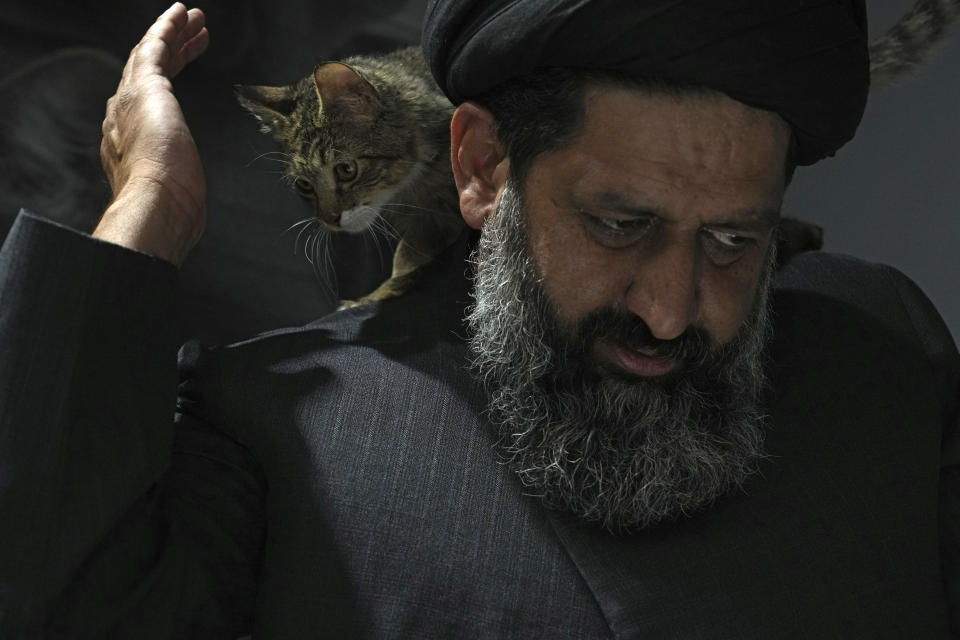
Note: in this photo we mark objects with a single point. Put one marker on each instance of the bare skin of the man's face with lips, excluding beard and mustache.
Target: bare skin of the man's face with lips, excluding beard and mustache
(663, 207)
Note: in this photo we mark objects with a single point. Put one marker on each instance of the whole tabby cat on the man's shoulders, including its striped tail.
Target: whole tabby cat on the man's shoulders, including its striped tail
(368, 138)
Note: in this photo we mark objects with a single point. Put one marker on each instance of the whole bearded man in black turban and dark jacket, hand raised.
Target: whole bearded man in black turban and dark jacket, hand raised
(620, 422)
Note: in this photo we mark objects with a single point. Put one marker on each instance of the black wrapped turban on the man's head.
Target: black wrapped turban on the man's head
(804, 59)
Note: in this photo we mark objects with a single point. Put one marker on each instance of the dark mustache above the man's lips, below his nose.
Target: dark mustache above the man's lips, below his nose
(695, 346)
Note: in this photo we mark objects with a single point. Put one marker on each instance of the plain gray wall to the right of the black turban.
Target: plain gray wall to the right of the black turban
(893, 194)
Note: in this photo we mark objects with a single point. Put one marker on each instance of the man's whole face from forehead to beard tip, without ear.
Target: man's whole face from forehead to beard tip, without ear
(620, 314)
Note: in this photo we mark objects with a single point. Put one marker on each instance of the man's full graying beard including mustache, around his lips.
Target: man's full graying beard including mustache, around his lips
(625, 453)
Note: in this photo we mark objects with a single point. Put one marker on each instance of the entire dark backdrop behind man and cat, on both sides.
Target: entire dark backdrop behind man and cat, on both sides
(890, 196)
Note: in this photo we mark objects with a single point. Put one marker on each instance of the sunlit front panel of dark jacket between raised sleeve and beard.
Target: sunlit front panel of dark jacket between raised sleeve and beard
(389, 515)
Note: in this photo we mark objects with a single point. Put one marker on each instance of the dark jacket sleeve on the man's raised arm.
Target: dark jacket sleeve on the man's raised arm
(118, 516)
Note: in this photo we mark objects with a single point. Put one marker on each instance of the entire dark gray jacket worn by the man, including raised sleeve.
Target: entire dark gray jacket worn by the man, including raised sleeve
(339, 480)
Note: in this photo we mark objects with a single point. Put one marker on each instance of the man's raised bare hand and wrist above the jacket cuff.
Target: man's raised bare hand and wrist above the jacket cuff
(148, 152)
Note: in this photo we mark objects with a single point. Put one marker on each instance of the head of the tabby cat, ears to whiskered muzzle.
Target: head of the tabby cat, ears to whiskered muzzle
(349, 147)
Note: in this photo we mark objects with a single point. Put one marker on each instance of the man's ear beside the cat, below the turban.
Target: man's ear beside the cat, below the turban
(480, 165)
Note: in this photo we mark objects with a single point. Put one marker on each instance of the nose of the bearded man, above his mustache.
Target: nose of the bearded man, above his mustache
(665, 290)
